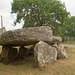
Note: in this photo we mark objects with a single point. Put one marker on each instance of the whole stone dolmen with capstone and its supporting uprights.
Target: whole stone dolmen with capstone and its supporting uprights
(44, 46)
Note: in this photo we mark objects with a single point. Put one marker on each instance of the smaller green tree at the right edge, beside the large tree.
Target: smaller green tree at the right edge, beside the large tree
(70, 26)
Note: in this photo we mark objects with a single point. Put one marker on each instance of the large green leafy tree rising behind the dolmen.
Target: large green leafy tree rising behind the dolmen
(40, 12)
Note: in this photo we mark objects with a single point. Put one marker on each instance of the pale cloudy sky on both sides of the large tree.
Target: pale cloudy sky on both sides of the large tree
(8, 18)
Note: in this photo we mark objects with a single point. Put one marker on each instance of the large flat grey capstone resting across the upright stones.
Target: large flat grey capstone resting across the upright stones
(29, 36)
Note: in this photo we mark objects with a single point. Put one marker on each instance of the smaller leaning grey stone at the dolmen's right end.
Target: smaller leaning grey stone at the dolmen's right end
(61, 53)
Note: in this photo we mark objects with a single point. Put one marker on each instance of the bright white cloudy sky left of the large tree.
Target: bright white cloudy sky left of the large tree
(5, 11)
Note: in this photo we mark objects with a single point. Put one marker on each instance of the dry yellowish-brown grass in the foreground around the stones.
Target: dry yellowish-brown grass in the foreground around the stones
(27, 66)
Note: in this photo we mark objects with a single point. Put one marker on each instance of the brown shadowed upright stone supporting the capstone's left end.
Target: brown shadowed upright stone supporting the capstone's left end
(8, 54)
